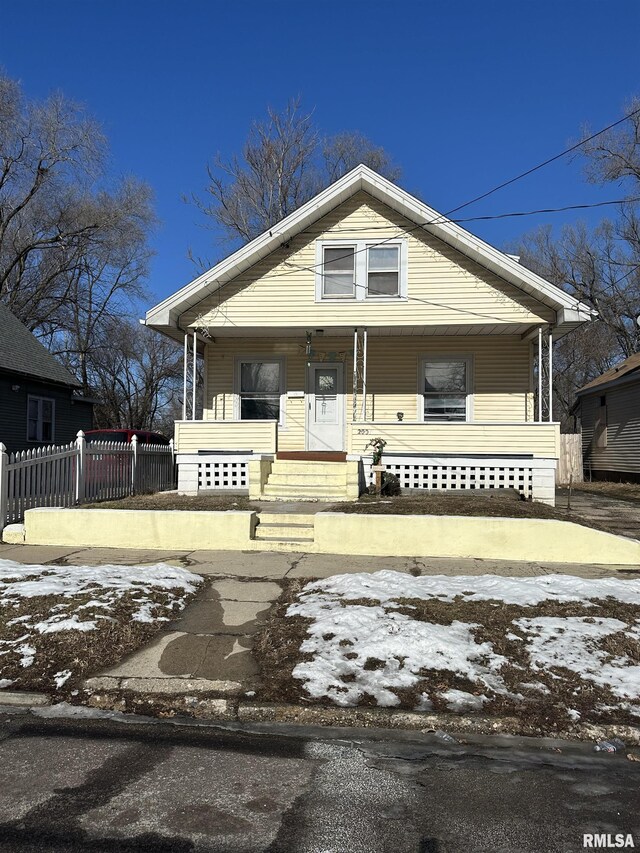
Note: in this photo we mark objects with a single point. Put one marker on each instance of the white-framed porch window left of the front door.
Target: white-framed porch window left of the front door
(260, 386)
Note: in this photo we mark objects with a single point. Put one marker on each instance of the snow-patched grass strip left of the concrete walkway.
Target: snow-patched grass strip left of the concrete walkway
(59, 622)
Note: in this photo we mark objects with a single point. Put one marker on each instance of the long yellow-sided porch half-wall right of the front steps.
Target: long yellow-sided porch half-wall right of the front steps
(541, 440)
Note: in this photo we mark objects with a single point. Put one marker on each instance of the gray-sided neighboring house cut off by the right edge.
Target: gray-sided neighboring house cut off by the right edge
(609, 412)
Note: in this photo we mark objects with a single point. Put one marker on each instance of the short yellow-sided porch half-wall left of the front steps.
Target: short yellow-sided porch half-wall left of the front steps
(192, 436)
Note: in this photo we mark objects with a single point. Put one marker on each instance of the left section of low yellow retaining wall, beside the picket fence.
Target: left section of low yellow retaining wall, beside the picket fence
(118, 528)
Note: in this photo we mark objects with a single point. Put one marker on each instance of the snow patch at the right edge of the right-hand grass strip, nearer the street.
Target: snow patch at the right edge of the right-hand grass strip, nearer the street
(572, 642)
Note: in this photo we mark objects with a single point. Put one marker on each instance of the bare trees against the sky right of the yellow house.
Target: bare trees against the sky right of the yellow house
(600, 266)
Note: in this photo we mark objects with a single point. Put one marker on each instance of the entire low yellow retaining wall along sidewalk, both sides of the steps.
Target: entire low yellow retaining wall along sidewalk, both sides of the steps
(336, 533)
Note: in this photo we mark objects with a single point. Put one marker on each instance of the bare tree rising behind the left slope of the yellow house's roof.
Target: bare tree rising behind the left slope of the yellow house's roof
(284, 163)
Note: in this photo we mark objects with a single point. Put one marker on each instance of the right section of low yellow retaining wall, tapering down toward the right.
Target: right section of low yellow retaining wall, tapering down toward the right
(529, 539)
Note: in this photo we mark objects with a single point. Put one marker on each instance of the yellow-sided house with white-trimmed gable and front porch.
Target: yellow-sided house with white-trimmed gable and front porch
(367, 314)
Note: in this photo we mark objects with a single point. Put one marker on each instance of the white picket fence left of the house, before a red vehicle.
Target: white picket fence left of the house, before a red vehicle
(81, 472)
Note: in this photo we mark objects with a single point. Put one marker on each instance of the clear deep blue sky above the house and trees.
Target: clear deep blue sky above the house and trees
(463, 95)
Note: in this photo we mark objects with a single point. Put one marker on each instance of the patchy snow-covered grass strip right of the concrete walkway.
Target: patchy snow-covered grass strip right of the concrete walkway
(551, 650)
